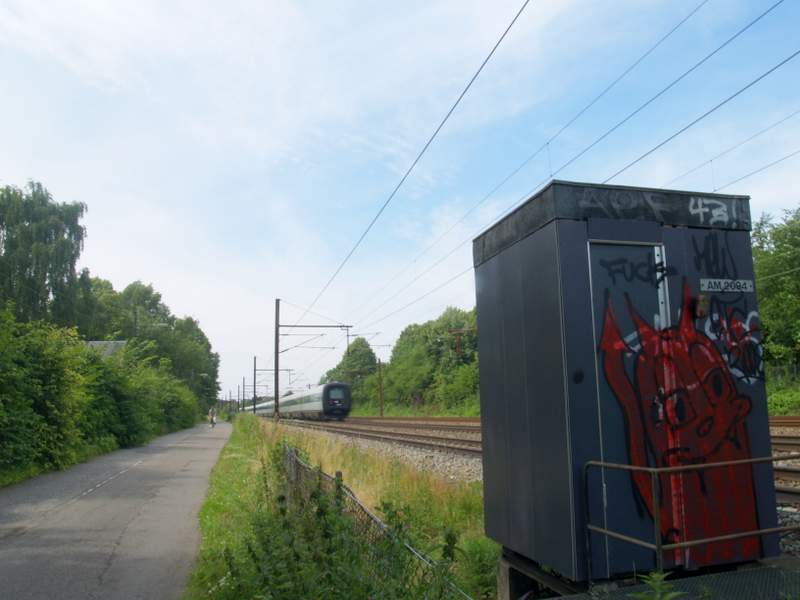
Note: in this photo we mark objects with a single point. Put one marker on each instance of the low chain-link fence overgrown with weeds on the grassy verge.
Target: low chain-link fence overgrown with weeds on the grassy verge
(397, 569)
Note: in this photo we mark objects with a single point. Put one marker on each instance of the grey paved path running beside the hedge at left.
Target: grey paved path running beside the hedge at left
(122, 526)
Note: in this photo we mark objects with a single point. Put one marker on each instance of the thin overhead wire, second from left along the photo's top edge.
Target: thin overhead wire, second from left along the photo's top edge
(532, 156)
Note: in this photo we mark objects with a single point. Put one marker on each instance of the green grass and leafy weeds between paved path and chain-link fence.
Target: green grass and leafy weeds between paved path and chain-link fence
(263, 538)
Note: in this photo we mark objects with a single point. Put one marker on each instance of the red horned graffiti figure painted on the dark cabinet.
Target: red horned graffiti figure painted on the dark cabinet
(682, 408)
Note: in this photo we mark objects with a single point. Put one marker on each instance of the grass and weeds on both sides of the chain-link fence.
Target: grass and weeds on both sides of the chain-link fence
(244, 508)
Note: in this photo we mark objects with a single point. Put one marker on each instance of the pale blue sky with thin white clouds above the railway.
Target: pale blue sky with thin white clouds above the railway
(230, 154)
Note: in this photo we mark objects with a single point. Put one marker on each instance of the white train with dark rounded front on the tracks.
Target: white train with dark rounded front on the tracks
(330, 401)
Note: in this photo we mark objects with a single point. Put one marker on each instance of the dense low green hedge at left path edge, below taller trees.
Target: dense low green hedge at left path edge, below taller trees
(61, 402)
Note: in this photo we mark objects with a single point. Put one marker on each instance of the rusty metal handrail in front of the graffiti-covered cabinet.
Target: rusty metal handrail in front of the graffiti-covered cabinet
(659, 547)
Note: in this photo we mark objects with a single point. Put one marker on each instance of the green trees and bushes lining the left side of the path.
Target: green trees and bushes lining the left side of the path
(62, 401)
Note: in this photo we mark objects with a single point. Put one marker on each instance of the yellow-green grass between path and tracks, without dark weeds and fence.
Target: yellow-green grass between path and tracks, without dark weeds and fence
(429, 509)
